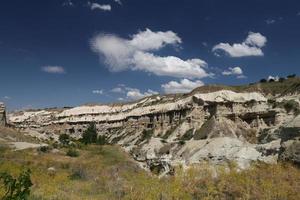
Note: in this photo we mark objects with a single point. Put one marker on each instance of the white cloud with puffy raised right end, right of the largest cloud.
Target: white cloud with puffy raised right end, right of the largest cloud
(250, 47)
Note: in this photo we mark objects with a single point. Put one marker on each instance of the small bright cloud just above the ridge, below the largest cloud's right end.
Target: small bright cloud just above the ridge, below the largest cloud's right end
(184, 86)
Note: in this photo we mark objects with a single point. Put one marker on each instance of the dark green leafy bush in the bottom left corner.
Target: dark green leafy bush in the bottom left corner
(16, 188)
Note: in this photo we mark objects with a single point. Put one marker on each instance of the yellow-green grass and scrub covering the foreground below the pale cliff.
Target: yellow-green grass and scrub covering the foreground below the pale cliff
(106, 172)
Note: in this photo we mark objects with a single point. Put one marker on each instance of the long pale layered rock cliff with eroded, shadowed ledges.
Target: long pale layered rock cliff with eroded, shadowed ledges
(164, 131)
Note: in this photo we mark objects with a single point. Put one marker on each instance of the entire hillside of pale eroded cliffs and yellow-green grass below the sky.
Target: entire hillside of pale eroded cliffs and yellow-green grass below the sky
(217, 142)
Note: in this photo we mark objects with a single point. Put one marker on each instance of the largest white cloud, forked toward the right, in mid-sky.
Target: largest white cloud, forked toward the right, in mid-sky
(136, 53)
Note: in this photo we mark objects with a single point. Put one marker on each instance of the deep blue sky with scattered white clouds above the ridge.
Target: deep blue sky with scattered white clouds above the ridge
(67, 53)
